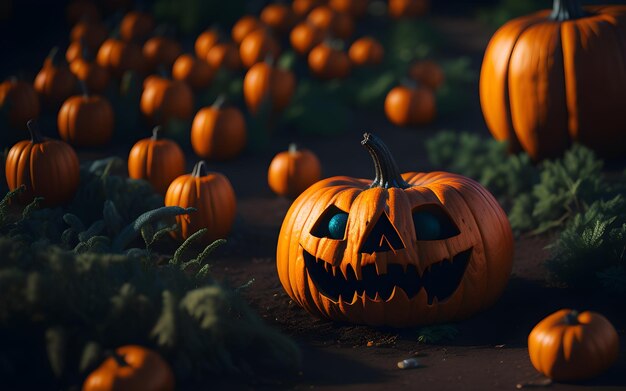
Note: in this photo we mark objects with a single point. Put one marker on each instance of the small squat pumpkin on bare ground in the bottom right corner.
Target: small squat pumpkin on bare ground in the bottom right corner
(568, 346)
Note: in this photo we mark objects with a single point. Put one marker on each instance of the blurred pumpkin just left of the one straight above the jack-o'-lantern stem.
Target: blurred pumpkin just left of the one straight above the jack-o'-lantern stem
(327, 61)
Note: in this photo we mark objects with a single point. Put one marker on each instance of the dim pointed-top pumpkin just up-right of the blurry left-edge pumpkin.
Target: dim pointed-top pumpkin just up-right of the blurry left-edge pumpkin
(54, 81)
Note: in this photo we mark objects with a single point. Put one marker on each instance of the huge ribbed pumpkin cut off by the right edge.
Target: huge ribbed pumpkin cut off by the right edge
(546, 83)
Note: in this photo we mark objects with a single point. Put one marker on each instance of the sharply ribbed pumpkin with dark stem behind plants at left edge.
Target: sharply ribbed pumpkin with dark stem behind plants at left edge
(47, 168)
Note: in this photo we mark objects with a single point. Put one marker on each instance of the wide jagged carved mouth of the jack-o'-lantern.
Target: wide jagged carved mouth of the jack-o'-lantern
(440, 280)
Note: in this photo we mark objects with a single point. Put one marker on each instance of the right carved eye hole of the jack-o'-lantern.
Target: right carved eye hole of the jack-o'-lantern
(433, 223)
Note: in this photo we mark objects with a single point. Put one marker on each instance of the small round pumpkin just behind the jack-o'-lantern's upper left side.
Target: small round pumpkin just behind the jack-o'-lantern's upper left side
(291, 172)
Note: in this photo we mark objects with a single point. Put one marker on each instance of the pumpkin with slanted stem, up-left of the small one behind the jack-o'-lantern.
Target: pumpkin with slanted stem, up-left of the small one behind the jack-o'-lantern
(218, 133)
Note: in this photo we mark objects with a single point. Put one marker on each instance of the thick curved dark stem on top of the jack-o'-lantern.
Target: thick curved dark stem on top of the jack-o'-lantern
(387, 172)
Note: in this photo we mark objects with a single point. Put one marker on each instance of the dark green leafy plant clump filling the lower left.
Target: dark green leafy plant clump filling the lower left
(86, 286)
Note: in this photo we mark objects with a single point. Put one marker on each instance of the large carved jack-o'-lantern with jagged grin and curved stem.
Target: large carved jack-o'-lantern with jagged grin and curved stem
(403, 250)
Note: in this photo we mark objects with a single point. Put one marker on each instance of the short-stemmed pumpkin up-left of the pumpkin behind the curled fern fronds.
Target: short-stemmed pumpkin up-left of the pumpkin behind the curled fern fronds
(159, 161)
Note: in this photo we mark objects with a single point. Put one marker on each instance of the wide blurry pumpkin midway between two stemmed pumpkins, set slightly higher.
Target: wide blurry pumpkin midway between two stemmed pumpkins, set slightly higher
(163, 99)
